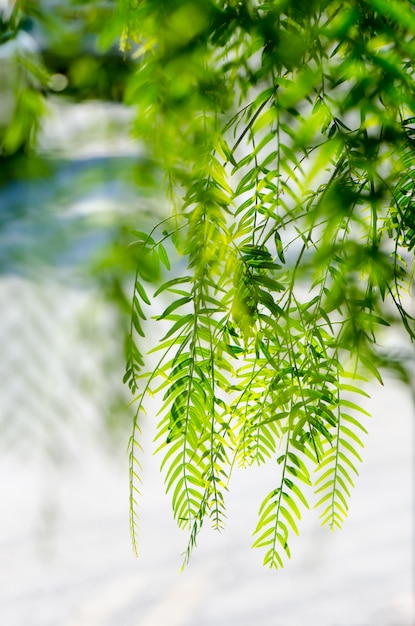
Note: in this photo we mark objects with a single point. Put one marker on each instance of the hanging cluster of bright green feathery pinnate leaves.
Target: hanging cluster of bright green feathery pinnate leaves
(284, 130)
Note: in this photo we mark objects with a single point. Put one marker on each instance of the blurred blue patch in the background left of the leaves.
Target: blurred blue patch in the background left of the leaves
(46, 221)
